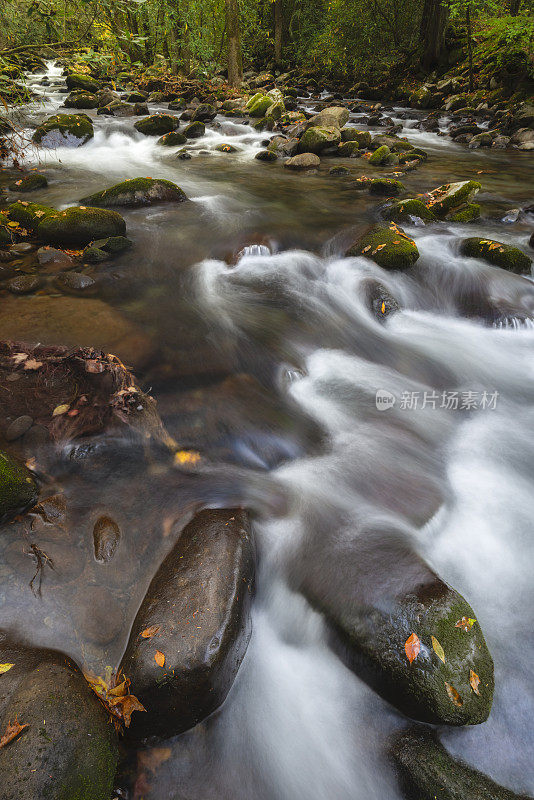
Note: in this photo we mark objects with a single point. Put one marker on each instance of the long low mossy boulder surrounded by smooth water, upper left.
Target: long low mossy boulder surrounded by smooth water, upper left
(137, 192)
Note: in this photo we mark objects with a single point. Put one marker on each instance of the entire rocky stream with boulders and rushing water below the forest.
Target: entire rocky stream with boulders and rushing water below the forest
(265, 469)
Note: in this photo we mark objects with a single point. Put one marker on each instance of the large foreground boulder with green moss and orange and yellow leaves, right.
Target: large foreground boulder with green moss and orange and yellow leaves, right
(383, 594)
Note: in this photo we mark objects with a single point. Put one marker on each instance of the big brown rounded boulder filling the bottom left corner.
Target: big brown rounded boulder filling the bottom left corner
(69, 749)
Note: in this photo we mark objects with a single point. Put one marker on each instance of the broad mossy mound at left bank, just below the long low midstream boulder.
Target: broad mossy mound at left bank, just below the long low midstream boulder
(77, 226)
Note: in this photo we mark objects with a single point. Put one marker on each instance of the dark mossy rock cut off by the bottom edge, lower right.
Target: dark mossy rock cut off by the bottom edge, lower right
(427, 772)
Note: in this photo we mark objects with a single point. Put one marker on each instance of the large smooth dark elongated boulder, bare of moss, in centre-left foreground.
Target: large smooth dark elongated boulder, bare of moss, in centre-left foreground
(200, 599)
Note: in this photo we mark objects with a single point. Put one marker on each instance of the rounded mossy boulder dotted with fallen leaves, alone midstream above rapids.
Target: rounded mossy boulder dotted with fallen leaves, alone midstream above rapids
(390, 247)
